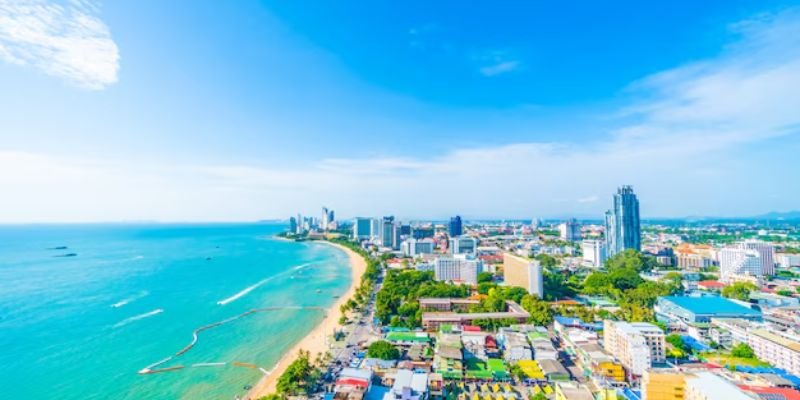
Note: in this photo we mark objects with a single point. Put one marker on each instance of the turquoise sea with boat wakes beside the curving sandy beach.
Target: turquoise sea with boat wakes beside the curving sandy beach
(81, 327)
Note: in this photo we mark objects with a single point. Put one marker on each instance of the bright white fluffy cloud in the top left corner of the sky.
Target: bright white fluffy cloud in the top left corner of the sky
(65, 40)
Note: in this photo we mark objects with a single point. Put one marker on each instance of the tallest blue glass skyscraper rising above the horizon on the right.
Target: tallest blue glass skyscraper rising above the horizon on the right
(623, 230)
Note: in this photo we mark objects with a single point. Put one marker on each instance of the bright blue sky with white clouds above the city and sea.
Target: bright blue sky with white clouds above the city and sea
(244, 110)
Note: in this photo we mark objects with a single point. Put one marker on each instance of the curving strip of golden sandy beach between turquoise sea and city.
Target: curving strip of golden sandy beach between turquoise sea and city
(315, 341)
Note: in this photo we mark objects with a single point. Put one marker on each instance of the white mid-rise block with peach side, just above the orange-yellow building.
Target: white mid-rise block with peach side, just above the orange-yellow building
(636, 345)
